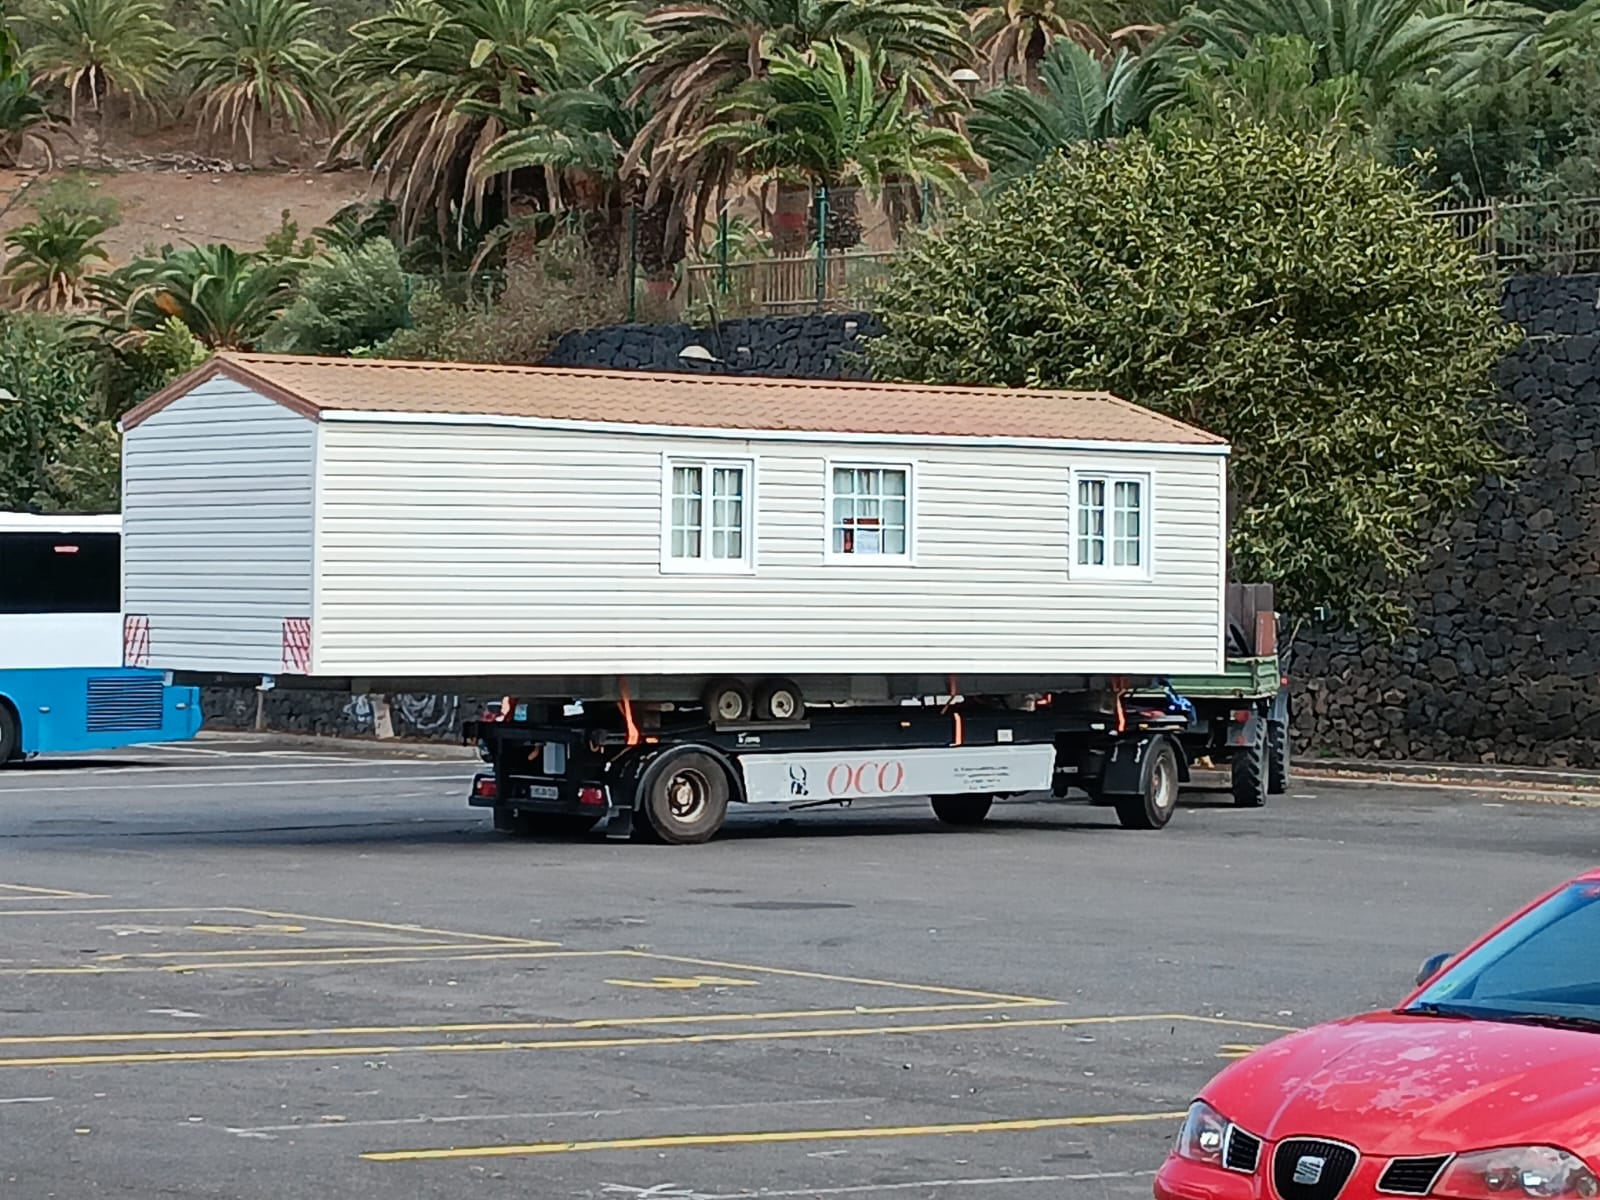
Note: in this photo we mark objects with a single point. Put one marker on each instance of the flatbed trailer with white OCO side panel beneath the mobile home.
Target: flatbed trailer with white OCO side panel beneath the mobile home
(671, 777)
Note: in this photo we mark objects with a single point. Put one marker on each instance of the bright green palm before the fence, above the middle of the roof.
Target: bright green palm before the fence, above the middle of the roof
(826, 121)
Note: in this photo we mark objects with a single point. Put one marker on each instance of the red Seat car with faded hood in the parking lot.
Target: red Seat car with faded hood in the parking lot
(1482, 1086)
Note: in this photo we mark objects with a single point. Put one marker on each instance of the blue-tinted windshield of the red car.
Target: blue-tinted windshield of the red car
(1543, 967)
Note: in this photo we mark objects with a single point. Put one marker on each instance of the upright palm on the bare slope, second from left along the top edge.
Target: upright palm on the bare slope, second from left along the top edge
(260, 62)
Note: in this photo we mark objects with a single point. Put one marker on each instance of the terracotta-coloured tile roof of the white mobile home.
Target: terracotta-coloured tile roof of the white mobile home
(314, 386)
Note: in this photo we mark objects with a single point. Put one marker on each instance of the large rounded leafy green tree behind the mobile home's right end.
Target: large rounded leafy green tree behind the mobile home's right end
(1290, 295)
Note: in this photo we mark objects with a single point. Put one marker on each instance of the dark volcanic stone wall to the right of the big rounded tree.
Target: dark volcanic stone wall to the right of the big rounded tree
(1503, 665)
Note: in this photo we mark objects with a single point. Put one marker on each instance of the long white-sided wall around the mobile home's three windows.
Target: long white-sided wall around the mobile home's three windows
(455, 550)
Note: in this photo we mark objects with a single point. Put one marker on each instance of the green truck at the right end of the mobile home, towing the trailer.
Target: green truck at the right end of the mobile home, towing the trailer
(1242, 716)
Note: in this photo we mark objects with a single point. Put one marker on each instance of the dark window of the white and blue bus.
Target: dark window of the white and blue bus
(60, 574)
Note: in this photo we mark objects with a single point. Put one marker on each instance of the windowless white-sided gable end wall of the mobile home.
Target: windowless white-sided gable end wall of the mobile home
(218, 498)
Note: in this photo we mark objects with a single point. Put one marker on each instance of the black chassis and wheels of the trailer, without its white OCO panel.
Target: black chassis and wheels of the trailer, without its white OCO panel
(569, 769)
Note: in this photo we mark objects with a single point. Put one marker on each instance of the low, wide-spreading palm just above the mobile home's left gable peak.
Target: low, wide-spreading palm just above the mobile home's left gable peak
(226, 297)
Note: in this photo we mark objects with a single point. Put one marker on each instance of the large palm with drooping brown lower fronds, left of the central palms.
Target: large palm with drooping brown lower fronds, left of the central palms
(430, 89)
